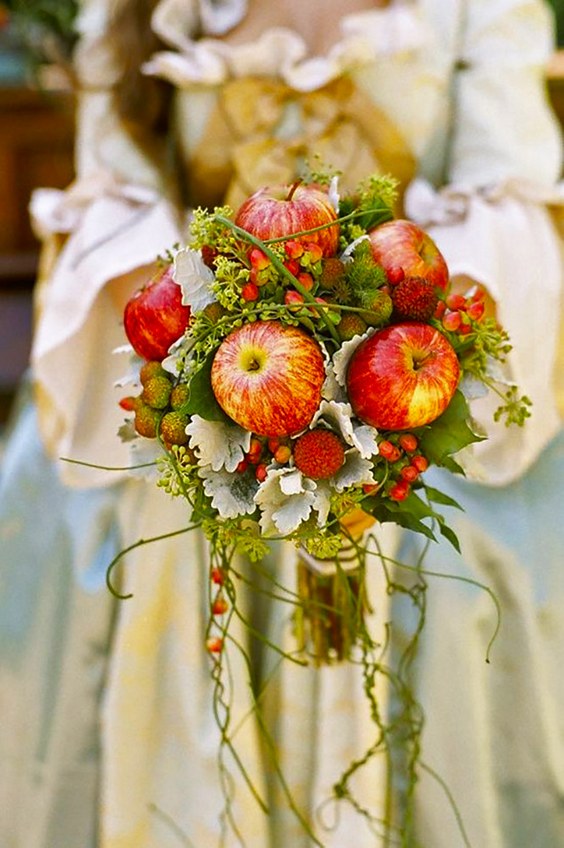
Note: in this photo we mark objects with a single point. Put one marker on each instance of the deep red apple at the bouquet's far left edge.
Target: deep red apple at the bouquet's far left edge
(155, 317)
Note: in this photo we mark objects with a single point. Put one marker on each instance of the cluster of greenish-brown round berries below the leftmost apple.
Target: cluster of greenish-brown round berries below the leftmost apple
(158, 409)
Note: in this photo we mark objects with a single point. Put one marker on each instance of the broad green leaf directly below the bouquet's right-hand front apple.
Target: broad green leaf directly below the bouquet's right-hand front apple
(449, 433)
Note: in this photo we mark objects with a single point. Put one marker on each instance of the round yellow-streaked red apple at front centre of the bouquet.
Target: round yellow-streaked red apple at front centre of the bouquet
(268, 376)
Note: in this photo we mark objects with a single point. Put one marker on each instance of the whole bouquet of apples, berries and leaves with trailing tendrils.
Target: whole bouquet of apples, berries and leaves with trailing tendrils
(300, 364)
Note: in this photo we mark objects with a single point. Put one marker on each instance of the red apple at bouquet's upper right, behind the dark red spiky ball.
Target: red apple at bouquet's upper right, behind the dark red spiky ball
(402, 245)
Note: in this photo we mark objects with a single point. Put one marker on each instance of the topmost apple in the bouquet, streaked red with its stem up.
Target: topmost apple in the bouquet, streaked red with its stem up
(275, 211)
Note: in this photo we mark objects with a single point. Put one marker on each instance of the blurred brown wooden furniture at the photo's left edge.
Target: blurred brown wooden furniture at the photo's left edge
(36, 149)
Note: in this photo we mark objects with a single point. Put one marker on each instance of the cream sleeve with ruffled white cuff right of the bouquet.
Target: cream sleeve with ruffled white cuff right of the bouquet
(492, 221)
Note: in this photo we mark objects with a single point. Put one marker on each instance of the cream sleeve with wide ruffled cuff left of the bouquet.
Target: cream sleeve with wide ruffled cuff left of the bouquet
(115, 221)
